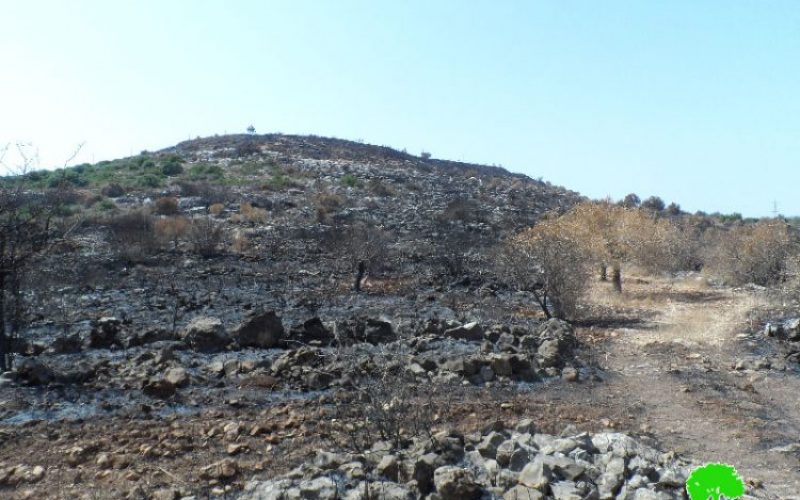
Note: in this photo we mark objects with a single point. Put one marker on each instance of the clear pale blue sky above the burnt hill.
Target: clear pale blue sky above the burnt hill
(696, 101)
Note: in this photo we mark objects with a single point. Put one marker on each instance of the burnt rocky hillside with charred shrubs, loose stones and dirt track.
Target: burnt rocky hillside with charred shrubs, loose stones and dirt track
(279, 316)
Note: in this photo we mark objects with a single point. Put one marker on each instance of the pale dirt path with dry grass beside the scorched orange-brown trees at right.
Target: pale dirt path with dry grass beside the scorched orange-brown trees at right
(674, 375)
